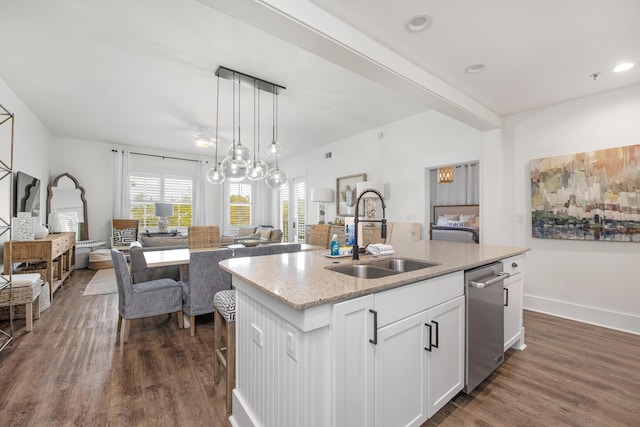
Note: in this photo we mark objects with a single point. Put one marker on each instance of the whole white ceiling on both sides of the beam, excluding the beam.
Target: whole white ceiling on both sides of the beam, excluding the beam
(142, 72)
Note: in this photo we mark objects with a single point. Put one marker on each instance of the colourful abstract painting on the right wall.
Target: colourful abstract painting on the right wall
(593, 195)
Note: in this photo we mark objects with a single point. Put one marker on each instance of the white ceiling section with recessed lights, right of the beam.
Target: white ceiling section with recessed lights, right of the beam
(537, 52)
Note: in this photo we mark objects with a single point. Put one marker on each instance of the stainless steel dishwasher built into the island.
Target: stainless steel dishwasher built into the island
(485, 323)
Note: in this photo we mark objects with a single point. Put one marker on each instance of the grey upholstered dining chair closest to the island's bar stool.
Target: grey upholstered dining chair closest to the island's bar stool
(206, 278)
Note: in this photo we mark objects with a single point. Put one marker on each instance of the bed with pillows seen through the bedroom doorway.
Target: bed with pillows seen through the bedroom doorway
(456, 223)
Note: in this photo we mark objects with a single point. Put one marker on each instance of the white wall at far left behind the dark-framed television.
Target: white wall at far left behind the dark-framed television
(31, 149)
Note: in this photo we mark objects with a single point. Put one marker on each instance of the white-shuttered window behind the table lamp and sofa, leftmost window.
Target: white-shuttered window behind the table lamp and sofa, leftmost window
(147, 189)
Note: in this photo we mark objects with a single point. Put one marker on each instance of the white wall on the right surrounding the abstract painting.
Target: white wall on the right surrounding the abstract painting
(595, 282)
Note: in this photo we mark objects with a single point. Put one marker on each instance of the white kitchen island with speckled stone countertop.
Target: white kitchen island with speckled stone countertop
(316, 347)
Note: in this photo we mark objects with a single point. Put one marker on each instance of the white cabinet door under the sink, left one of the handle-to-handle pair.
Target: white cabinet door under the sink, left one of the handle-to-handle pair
(401, 374)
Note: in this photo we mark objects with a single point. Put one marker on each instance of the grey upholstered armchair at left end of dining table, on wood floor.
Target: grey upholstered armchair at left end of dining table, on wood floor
(143, 299)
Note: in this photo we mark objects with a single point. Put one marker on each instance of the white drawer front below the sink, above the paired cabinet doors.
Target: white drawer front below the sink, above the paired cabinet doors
(404, 301)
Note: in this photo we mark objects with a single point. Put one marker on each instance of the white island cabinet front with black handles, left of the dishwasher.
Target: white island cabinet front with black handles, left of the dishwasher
(410, 366)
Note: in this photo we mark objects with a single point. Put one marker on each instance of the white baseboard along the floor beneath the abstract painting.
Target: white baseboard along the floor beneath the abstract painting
(595, 316)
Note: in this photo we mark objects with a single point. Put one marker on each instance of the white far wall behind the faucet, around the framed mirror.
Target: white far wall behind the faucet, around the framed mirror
(400, 159)
